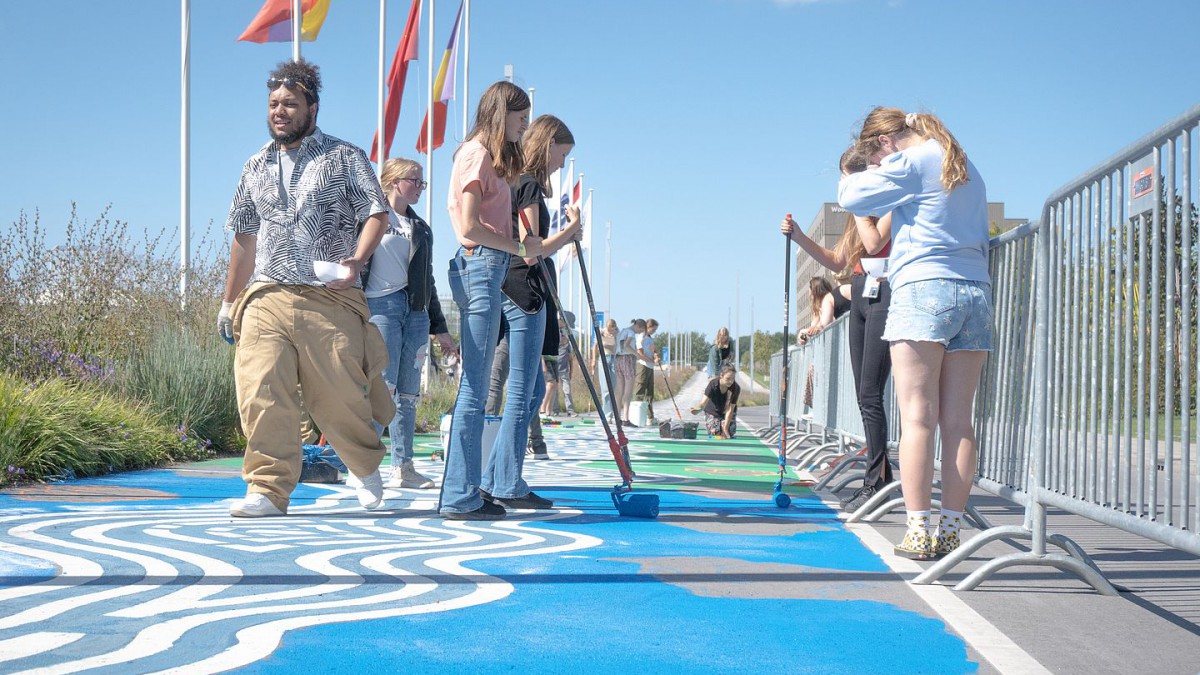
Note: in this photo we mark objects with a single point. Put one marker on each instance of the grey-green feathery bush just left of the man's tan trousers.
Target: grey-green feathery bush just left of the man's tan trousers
(188, 380)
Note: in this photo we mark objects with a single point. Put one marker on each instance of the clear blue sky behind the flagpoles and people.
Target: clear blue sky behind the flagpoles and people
(700, 123)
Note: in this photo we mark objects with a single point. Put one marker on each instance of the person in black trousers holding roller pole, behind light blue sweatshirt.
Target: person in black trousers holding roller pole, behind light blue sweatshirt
(866, 241)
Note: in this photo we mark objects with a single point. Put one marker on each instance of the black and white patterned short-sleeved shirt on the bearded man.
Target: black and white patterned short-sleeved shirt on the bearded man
(333, 192)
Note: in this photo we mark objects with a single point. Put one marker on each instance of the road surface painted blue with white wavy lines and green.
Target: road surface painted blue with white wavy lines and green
(147, 572)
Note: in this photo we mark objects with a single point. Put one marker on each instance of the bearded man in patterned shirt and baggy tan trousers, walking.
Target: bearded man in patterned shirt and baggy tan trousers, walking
(308, 214)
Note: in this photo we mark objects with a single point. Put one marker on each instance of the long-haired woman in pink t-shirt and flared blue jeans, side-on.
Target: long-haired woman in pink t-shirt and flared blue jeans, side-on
(481, 202)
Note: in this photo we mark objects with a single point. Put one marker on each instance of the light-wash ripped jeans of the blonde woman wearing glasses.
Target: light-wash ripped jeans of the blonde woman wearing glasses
(407, 334)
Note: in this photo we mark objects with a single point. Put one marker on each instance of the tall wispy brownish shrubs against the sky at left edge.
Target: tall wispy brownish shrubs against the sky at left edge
(88, 302)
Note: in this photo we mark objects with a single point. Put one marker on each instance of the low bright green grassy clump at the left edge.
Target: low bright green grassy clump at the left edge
(61, 428)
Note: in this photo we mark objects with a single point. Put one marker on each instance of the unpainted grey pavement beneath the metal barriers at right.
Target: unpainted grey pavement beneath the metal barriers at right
(1151, 628)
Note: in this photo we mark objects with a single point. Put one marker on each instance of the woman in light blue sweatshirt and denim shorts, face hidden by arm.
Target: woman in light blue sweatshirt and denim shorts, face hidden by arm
(940, 321)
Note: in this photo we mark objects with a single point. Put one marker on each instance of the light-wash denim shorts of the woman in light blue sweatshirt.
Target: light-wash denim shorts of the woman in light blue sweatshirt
(951, 312)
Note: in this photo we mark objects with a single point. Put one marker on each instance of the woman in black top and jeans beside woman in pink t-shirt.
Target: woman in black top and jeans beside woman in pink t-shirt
(526, 307)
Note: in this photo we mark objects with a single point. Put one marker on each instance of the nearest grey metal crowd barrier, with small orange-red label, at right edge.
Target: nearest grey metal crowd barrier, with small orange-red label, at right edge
(1114, 386)
